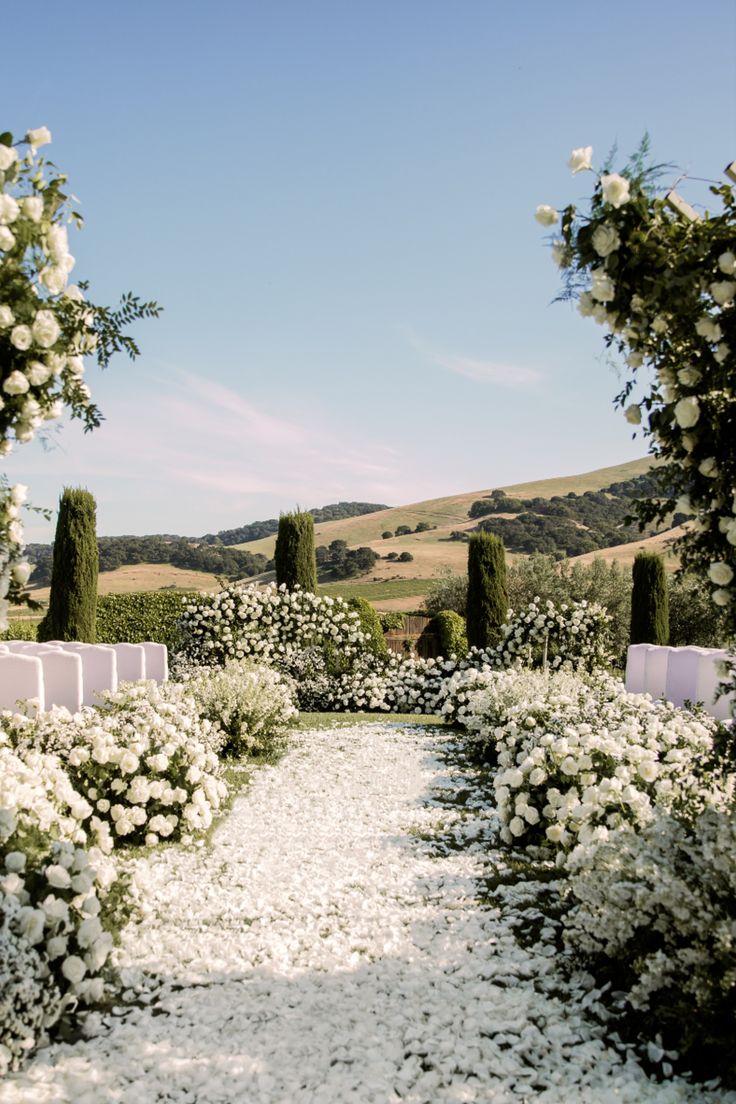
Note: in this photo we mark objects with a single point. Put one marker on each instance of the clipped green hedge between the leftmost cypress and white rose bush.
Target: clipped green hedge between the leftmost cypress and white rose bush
(150, 615)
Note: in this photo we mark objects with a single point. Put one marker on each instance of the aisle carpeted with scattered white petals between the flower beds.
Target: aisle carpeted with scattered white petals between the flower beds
(330, 947)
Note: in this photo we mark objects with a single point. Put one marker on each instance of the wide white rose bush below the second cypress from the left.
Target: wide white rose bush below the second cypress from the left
(271, 624)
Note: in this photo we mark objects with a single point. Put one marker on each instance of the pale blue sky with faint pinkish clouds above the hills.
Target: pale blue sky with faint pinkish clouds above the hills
(334, 203)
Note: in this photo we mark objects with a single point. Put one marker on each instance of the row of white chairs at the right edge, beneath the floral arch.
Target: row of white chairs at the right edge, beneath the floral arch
(679, 675)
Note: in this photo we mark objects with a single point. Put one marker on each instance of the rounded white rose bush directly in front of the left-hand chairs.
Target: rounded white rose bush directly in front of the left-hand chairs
(147, 765)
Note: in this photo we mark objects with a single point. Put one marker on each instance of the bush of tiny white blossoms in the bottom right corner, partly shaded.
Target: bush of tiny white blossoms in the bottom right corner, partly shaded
(656, 912)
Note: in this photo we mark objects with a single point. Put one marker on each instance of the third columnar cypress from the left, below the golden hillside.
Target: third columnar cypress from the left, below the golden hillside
(488, 600)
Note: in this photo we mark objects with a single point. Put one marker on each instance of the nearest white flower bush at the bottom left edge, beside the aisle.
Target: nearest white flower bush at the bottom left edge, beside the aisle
(61, 901)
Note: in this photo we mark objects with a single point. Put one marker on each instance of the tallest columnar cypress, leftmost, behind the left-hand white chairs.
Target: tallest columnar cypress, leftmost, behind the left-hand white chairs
(73, 602)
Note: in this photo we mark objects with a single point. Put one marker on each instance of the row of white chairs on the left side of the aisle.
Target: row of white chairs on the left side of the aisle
(70, 674)
